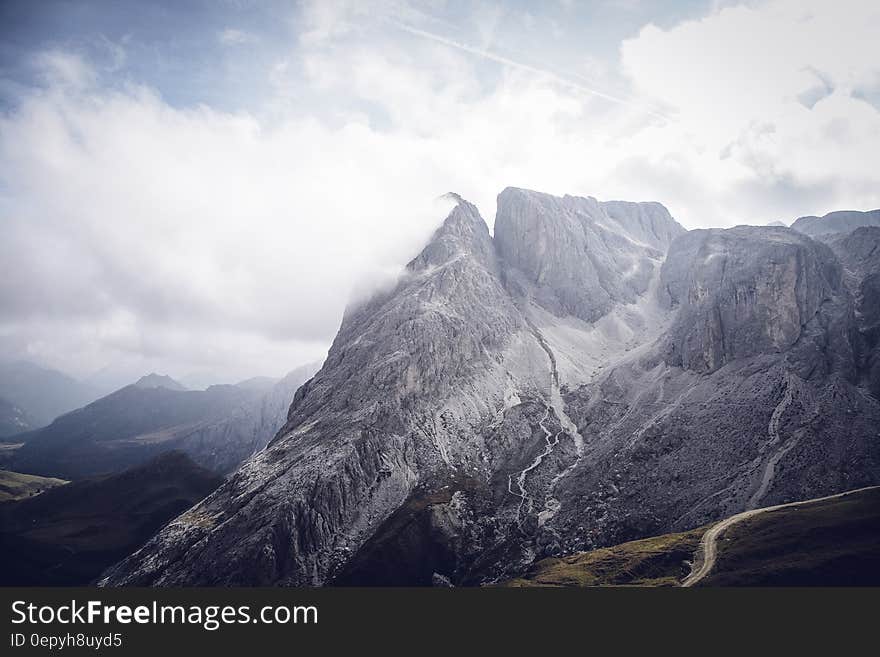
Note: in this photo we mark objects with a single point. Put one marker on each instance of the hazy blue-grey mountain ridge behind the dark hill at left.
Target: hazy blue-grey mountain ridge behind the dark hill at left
(218, 427)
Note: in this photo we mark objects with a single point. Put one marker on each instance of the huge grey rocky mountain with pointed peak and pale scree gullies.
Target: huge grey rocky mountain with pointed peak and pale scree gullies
(590, 375)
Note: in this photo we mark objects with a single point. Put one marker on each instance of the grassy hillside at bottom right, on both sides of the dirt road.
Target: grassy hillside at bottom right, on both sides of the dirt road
(830, 543)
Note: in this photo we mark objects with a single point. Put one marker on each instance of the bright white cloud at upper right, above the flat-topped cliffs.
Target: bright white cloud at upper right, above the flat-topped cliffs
(767, 101)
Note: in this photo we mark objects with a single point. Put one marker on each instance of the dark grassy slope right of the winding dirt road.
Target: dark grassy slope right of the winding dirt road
(831, 543)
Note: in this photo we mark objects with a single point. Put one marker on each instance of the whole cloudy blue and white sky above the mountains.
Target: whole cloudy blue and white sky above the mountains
(198, 188)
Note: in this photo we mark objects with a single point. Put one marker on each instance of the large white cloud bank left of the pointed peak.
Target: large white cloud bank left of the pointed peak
(140, 225)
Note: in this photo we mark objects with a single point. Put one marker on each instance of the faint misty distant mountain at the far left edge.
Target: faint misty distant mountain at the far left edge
(42, 394)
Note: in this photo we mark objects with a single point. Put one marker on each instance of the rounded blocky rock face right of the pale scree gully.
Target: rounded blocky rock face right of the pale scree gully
(748, 291)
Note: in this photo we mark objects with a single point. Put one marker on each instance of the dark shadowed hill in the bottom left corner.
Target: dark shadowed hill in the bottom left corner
(66, 535)
